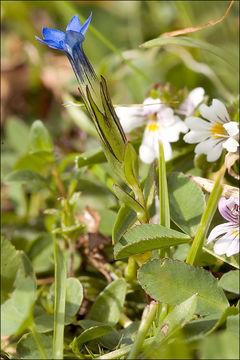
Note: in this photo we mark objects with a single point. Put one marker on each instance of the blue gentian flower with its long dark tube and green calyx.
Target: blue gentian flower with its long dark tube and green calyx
(94, 93)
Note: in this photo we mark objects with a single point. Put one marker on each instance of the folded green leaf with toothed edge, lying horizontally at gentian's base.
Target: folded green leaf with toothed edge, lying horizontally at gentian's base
(147, 237)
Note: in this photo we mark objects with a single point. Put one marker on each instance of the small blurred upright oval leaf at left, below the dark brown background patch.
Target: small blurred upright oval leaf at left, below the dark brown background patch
(39, 139)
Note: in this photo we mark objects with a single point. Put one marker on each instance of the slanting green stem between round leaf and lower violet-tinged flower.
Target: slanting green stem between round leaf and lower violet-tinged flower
(196, 248)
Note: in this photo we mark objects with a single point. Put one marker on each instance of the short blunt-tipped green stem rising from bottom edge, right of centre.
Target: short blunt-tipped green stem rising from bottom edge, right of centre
(147, 319)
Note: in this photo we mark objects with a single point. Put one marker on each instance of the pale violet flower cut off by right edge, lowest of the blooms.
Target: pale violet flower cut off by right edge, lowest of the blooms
(227, 234)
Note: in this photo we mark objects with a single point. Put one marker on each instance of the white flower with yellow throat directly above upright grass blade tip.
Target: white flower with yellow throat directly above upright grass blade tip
(161, 125)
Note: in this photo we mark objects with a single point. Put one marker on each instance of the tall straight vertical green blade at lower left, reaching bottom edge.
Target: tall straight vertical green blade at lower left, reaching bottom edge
(59, 302)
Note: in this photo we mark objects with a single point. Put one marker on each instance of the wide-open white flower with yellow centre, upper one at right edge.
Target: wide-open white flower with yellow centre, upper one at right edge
(212, 135)
